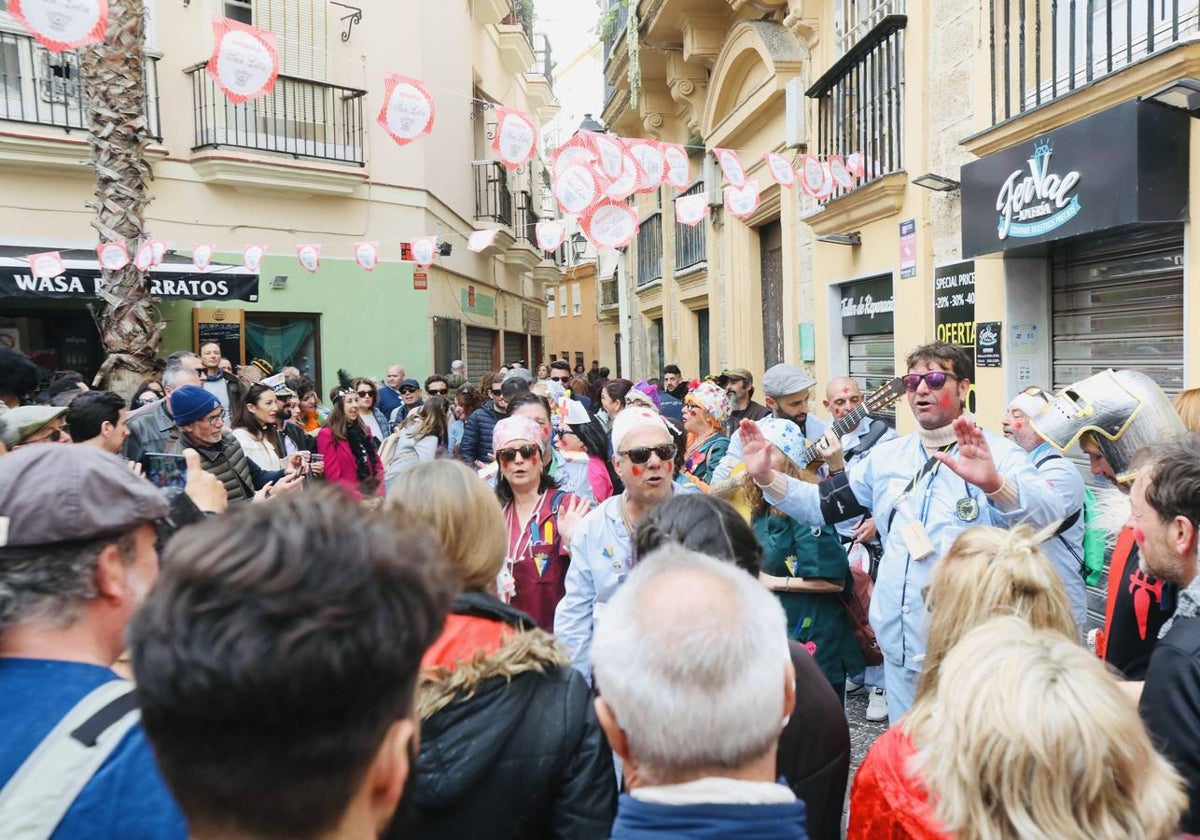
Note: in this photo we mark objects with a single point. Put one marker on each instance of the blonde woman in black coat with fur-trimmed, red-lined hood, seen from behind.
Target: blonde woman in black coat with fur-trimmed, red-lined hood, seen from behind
(511, 746)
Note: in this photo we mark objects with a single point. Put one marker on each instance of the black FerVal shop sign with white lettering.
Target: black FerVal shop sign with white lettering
(1123, 166)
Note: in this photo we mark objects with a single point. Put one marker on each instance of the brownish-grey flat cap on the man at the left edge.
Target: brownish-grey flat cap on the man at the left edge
(70, 493)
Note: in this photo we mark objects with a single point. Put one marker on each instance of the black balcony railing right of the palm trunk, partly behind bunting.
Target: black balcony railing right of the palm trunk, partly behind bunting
(301, 118)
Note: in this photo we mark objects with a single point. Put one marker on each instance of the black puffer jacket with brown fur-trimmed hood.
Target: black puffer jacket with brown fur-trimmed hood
(511, 745)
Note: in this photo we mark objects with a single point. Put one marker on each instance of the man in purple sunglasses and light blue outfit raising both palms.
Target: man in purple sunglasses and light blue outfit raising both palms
(925, 489)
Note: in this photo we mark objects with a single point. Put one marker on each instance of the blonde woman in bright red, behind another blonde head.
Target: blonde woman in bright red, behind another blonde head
(987, 573)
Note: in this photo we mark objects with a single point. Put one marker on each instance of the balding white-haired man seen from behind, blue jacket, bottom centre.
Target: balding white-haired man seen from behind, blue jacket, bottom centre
(695, 686)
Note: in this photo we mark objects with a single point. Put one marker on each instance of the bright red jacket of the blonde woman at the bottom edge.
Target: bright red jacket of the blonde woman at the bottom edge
(887, 803)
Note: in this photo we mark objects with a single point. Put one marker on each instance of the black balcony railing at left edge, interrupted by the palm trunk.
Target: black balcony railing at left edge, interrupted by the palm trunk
(45, 88)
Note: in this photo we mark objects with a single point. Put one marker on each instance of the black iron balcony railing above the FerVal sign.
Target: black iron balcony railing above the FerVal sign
(1042, 50)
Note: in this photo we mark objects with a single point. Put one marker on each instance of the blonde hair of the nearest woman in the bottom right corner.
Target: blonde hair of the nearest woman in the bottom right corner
(1030, 739)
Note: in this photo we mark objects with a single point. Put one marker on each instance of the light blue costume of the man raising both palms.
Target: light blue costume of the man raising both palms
(898, 605)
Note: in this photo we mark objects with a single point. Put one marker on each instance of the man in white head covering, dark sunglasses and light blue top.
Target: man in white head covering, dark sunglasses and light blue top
(603, 545)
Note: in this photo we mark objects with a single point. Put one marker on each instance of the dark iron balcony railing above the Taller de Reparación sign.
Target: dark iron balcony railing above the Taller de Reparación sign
(861, 103)
